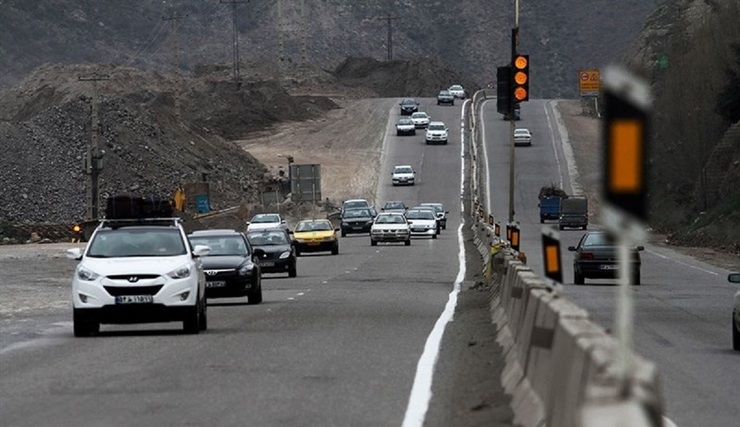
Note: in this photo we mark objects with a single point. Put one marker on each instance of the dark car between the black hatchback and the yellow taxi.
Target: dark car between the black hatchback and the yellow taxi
(278, 254)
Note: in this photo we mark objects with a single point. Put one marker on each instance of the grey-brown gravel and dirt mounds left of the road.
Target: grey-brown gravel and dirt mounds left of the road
(45, 128)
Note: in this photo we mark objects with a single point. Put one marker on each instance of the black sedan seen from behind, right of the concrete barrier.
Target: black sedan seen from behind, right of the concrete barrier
(597, 257)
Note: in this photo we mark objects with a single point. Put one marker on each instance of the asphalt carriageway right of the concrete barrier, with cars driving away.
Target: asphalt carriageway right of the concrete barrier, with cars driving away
(683, 307)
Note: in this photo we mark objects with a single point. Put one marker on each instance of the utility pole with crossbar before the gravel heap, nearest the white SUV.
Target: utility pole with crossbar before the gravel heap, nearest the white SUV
(94, 158)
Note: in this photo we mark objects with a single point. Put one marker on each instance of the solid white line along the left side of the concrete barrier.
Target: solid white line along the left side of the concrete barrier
(421, 391)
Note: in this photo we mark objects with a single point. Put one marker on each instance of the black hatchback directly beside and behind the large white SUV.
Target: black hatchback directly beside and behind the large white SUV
(230, 267)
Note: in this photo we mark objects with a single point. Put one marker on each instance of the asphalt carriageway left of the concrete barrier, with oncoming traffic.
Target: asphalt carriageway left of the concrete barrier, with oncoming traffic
(344, 343)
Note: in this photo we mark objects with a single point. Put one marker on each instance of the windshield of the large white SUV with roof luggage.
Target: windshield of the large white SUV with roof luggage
(136, 242)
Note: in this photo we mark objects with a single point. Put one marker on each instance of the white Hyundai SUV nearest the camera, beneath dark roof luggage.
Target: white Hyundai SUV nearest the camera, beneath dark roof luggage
(138, 271)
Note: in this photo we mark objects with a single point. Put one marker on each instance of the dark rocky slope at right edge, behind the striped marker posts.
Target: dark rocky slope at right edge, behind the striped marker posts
(690, 51)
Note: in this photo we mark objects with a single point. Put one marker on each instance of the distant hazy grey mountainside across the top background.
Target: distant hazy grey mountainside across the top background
(561, 36)
